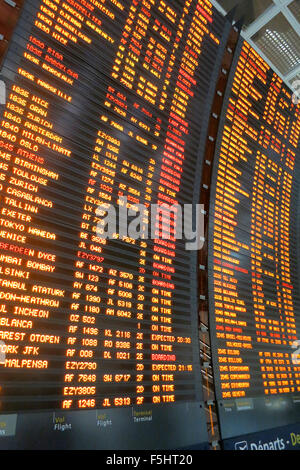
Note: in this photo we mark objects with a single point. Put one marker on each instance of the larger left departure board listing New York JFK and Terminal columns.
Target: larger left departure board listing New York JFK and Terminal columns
(105, 99)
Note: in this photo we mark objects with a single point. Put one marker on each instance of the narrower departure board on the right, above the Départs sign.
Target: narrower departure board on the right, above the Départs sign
(253, 255)
